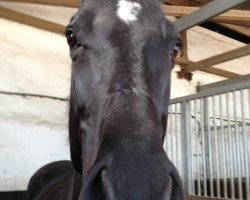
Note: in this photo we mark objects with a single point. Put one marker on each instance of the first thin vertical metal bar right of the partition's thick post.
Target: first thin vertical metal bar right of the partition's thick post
(197, 148)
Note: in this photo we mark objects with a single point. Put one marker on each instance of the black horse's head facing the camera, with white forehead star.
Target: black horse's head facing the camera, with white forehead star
(122, 54)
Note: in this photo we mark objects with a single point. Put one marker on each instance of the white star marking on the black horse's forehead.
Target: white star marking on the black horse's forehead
(127, 11)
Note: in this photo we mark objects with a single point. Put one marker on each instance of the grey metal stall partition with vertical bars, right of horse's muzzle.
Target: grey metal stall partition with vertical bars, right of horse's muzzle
(208, 140)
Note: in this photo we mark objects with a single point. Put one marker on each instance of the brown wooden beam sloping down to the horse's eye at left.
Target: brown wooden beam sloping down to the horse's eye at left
(30, 20)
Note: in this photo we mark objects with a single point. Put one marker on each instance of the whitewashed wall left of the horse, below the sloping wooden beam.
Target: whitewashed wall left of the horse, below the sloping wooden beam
(33, 131)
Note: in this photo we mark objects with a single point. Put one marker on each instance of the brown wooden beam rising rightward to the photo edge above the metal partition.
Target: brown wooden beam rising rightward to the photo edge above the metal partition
(217, 59)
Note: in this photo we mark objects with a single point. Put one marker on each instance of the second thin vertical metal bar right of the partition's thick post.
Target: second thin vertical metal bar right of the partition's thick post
(203, 147)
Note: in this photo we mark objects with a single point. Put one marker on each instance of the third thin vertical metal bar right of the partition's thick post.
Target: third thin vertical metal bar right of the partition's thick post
(209, 149)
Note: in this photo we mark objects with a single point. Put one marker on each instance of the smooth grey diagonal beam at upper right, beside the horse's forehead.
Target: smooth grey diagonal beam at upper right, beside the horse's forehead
(207, 12)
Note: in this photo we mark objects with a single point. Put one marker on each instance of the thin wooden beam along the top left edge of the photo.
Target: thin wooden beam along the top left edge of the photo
(68, 3)
